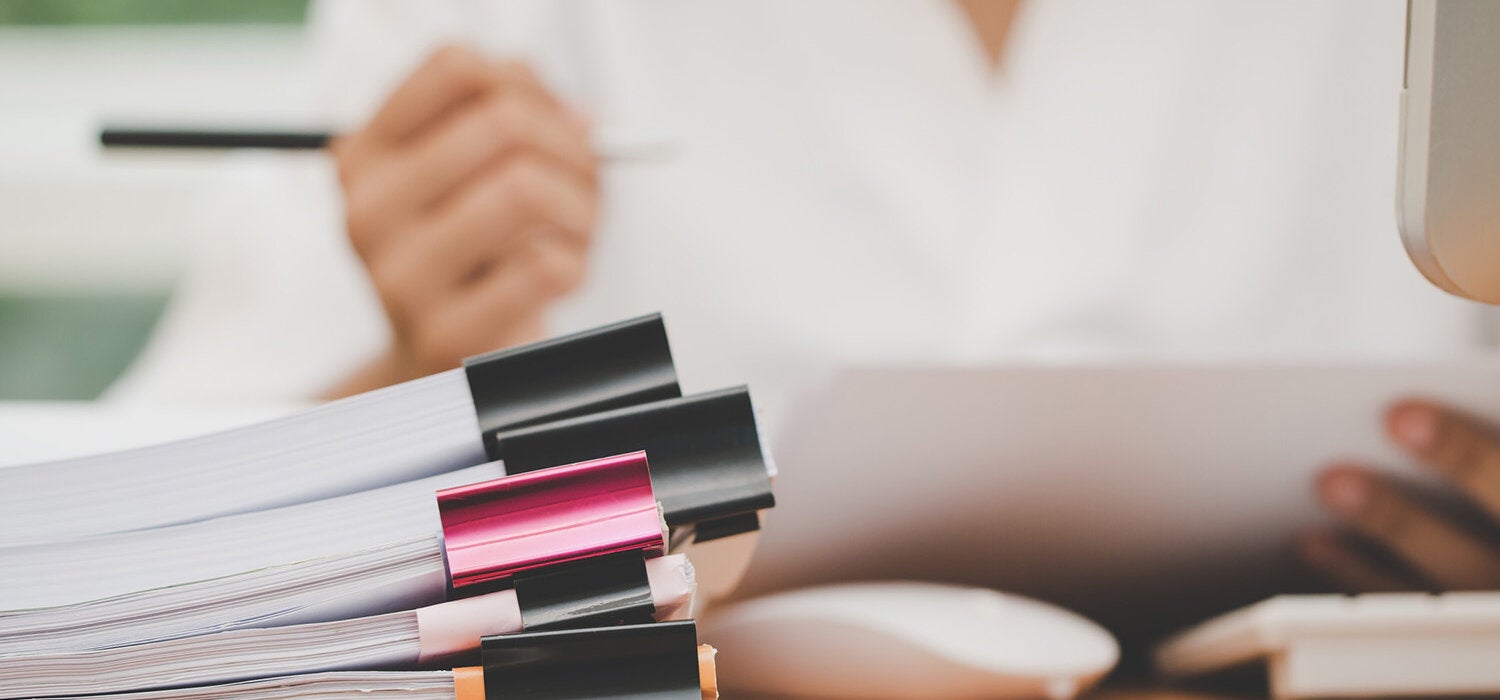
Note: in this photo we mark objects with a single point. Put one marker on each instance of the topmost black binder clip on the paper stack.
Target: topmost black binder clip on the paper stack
(599, 369)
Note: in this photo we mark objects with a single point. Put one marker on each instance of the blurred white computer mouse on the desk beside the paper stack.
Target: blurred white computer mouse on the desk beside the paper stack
(907, 639)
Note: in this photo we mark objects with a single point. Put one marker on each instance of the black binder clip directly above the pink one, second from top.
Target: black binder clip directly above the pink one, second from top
(709, 465)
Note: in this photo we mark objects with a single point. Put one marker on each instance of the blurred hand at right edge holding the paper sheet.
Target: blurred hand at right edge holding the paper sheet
(1433, 551)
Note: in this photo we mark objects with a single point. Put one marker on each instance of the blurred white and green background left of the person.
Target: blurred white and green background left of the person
(91, 247)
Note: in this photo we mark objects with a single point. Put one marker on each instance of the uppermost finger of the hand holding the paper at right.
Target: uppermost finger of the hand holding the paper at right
(1453, 444)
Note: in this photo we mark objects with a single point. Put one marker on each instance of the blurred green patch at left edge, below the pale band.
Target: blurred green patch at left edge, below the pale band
(71, 347)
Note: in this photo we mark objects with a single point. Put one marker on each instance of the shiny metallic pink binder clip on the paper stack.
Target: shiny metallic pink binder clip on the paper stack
(523, 522)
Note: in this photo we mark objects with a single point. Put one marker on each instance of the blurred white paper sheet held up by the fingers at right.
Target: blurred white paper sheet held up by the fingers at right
(1141, 495)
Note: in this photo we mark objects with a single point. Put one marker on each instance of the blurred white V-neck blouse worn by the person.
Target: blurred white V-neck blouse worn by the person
(854, 185)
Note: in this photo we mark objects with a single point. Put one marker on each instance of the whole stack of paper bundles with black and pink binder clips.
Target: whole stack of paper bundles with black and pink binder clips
(547, 500)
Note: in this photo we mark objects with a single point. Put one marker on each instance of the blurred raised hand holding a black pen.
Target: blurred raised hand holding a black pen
(472, 199)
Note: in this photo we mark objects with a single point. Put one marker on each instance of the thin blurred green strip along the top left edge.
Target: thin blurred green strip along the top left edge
(107, 13)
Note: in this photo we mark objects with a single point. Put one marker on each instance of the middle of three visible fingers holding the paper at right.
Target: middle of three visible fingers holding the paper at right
(1439, 551)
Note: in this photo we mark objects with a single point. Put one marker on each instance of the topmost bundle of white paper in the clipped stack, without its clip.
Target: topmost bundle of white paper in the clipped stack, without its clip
(380, 438)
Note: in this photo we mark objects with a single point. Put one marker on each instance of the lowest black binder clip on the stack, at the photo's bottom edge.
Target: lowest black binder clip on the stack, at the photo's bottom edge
(634, 662)
